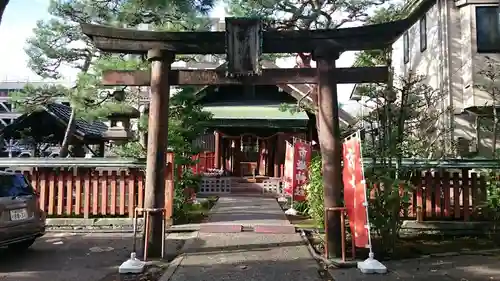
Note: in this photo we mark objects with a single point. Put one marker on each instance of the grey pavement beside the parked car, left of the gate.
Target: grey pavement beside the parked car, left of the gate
(72, 257)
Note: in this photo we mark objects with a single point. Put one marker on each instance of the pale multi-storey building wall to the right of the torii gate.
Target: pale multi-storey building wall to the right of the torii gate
(448, 45)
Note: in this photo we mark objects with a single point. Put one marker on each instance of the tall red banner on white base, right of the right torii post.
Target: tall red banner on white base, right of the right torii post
(355, 191)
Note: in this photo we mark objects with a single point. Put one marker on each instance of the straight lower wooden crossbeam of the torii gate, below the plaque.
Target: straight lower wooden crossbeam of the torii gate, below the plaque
(276, 76)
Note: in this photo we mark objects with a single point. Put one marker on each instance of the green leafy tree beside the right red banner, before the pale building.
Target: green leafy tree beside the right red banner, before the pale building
(404, 120)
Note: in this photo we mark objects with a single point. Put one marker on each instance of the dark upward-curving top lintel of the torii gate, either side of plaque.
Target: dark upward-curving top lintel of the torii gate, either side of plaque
(377, 36)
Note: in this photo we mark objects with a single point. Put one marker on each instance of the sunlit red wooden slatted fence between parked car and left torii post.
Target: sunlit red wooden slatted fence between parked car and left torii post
(93, 194)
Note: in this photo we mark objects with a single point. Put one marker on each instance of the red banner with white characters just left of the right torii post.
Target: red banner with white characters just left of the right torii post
(302, 162)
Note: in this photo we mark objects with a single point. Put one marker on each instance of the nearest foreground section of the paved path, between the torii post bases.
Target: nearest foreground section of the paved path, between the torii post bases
(248, 256)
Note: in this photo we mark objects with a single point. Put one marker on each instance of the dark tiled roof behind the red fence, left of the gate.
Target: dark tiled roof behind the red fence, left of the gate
(94, 129)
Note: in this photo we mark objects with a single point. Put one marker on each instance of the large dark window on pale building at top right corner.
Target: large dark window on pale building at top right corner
(488, 29)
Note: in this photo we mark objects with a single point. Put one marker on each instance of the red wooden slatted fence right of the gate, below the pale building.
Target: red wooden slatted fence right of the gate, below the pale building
(446, 196)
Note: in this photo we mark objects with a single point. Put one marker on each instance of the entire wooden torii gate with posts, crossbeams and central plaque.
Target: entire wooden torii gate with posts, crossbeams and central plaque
(243, 42)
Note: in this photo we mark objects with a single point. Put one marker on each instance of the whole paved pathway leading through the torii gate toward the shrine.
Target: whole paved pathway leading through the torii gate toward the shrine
(247, 256)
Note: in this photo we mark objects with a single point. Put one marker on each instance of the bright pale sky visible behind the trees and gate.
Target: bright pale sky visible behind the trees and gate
(20, 18)
